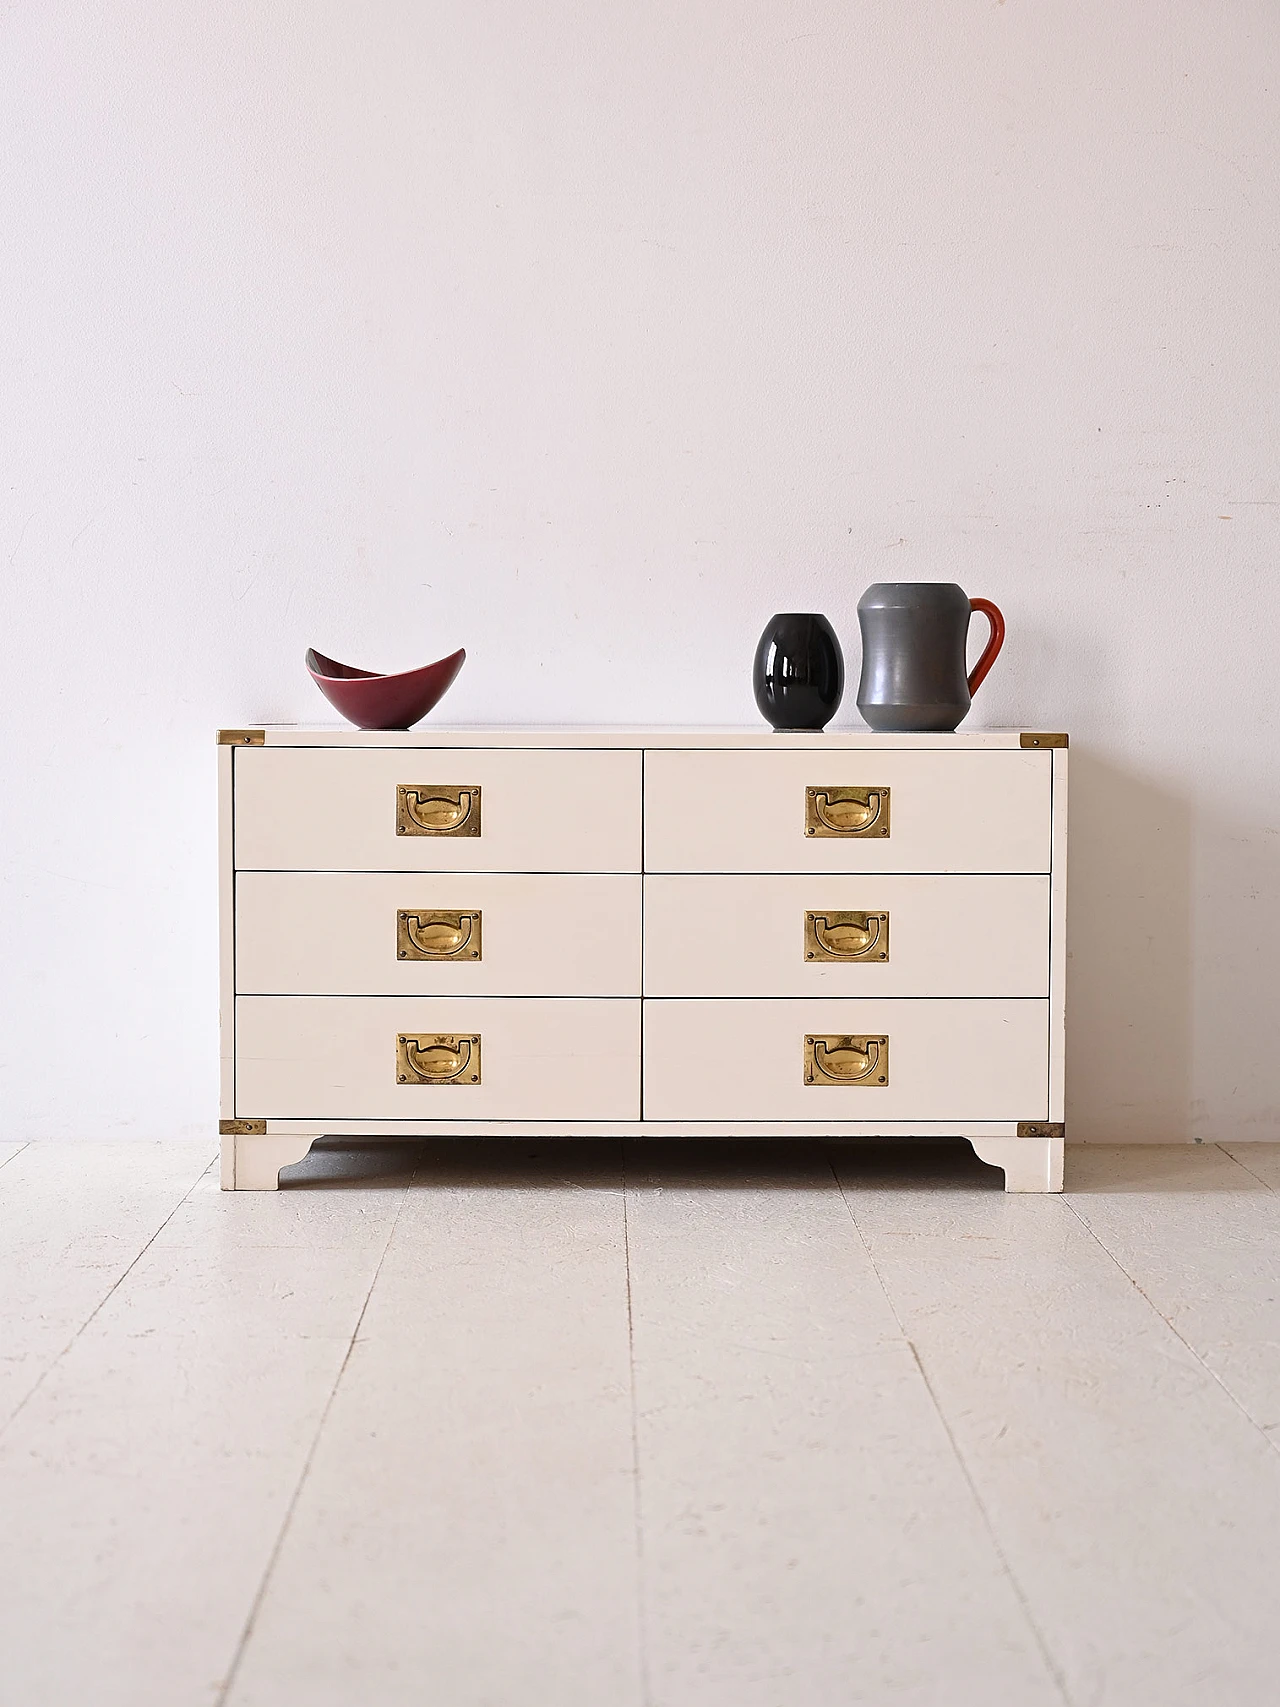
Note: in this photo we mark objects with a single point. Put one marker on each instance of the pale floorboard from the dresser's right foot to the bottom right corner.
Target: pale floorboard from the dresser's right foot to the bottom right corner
(1137, 1505)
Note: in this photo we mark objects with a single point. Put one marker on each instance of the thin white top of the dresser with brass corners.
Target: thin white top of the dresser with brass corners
(634, 738)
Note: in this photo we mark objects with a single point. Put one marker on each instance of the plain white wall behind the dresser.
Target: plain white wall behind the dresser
(588, 337)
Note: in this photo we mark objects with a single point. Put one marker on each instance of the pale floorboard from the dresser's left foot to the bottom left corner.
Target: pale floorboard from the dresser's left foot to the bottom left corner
(146, 1483)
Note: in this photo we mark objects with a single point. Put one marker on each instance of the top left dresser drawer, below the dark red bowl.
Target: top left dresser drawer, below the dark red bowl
(436, 810)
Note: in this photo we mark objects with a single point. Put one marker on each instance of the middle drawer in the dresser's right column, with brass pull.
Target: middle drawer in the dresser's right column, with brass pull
(957, 936)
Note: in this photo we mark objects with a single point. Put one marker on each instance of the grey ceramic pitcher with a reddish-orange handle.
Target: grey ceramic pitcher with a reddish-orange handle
(914, 636)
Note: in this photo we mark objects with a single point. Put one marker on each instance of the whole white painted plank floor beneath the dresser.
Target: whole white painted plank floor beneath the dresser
(557, 1424)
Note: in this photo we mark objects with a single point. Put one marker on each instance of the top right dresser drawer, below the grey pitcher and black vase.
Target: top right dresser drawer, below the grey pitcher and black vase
(849, 812)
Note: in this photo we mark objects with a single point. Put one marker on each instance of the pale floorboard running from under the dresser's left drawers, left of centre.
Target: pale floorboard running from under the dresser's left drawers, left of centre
(467, 1534)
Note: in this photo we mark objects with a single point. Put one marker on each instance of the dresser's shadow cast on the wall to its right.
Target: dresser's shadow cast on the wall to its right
(1129, 972)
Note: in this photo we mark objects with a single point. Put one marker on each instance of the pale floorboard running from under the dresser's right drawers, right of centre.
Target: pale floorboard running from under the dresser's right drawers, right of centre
(808, 1532)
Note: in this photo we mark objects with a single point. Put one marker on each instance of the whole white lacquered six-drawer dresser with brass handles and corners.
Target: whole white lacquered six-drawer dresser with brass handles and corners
(532, 933)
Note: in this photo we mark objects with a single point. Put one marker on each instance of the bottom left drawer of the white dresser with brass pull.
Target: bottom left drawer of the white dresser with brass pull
(320, 1059)
